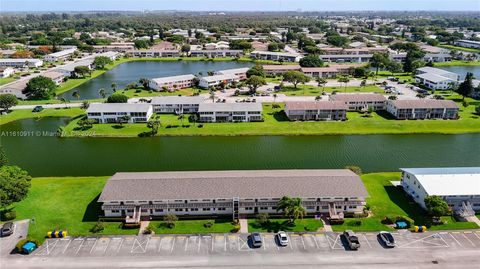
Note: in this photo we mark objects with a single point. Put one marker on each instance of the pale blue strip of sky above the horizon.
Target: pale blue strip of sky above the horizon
(238, 5)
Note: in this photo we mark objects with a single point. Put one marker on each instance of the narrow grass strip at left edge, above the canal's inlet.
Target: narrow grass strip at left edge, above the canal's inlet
(19, 114)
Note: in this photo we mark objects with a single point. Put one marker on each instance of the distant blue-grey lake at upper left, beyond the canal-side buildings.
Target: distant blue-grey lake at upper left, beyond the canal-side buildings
(129, 72)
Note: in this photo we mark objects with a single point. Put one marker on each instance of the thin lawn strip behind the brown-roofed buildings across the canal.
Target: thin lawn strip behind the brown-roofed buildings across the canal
(307, 90)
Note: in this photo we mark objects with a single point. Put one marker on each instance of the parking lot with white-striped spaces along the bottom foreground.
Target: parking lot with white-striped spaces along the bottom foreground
(235, 244)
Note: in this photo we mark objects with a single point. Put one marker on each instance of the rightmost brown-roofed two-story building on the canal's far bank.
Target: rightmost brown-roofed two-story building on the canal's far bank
(423, 109)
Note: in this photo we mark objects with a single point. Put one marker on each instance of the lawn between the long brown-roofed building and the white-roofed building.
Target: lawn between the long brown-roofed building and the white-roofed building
(388, 200)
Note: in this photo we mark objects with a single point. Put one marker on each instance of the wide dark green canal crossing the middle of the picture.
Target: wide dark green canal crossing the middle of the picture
(44, 155)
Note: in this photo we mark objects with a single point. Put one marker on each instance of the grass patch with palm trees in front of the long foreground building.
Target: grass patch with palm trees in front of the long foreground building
(275, 225)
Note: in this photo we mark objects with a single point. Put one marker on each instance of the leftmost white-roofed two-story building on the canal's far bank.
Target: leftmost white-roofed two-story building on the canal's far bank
(113, 112)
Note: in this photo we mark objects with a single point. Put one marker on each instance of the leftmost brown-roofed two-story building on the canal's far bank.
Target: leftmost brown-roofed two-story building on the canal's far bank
(316, 110)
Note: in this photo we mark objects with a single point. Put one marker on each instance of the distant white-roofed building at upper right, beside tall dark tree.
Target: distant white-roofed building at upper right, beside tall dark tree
(436, 79)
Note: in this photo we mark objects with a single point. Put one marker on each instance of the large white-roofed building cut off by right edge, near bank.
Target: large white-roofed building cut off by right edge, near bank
(458, 186)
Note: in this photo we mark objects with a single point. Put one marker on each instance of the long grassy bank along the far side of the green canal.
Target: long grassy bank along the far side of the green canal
(276, 123)
